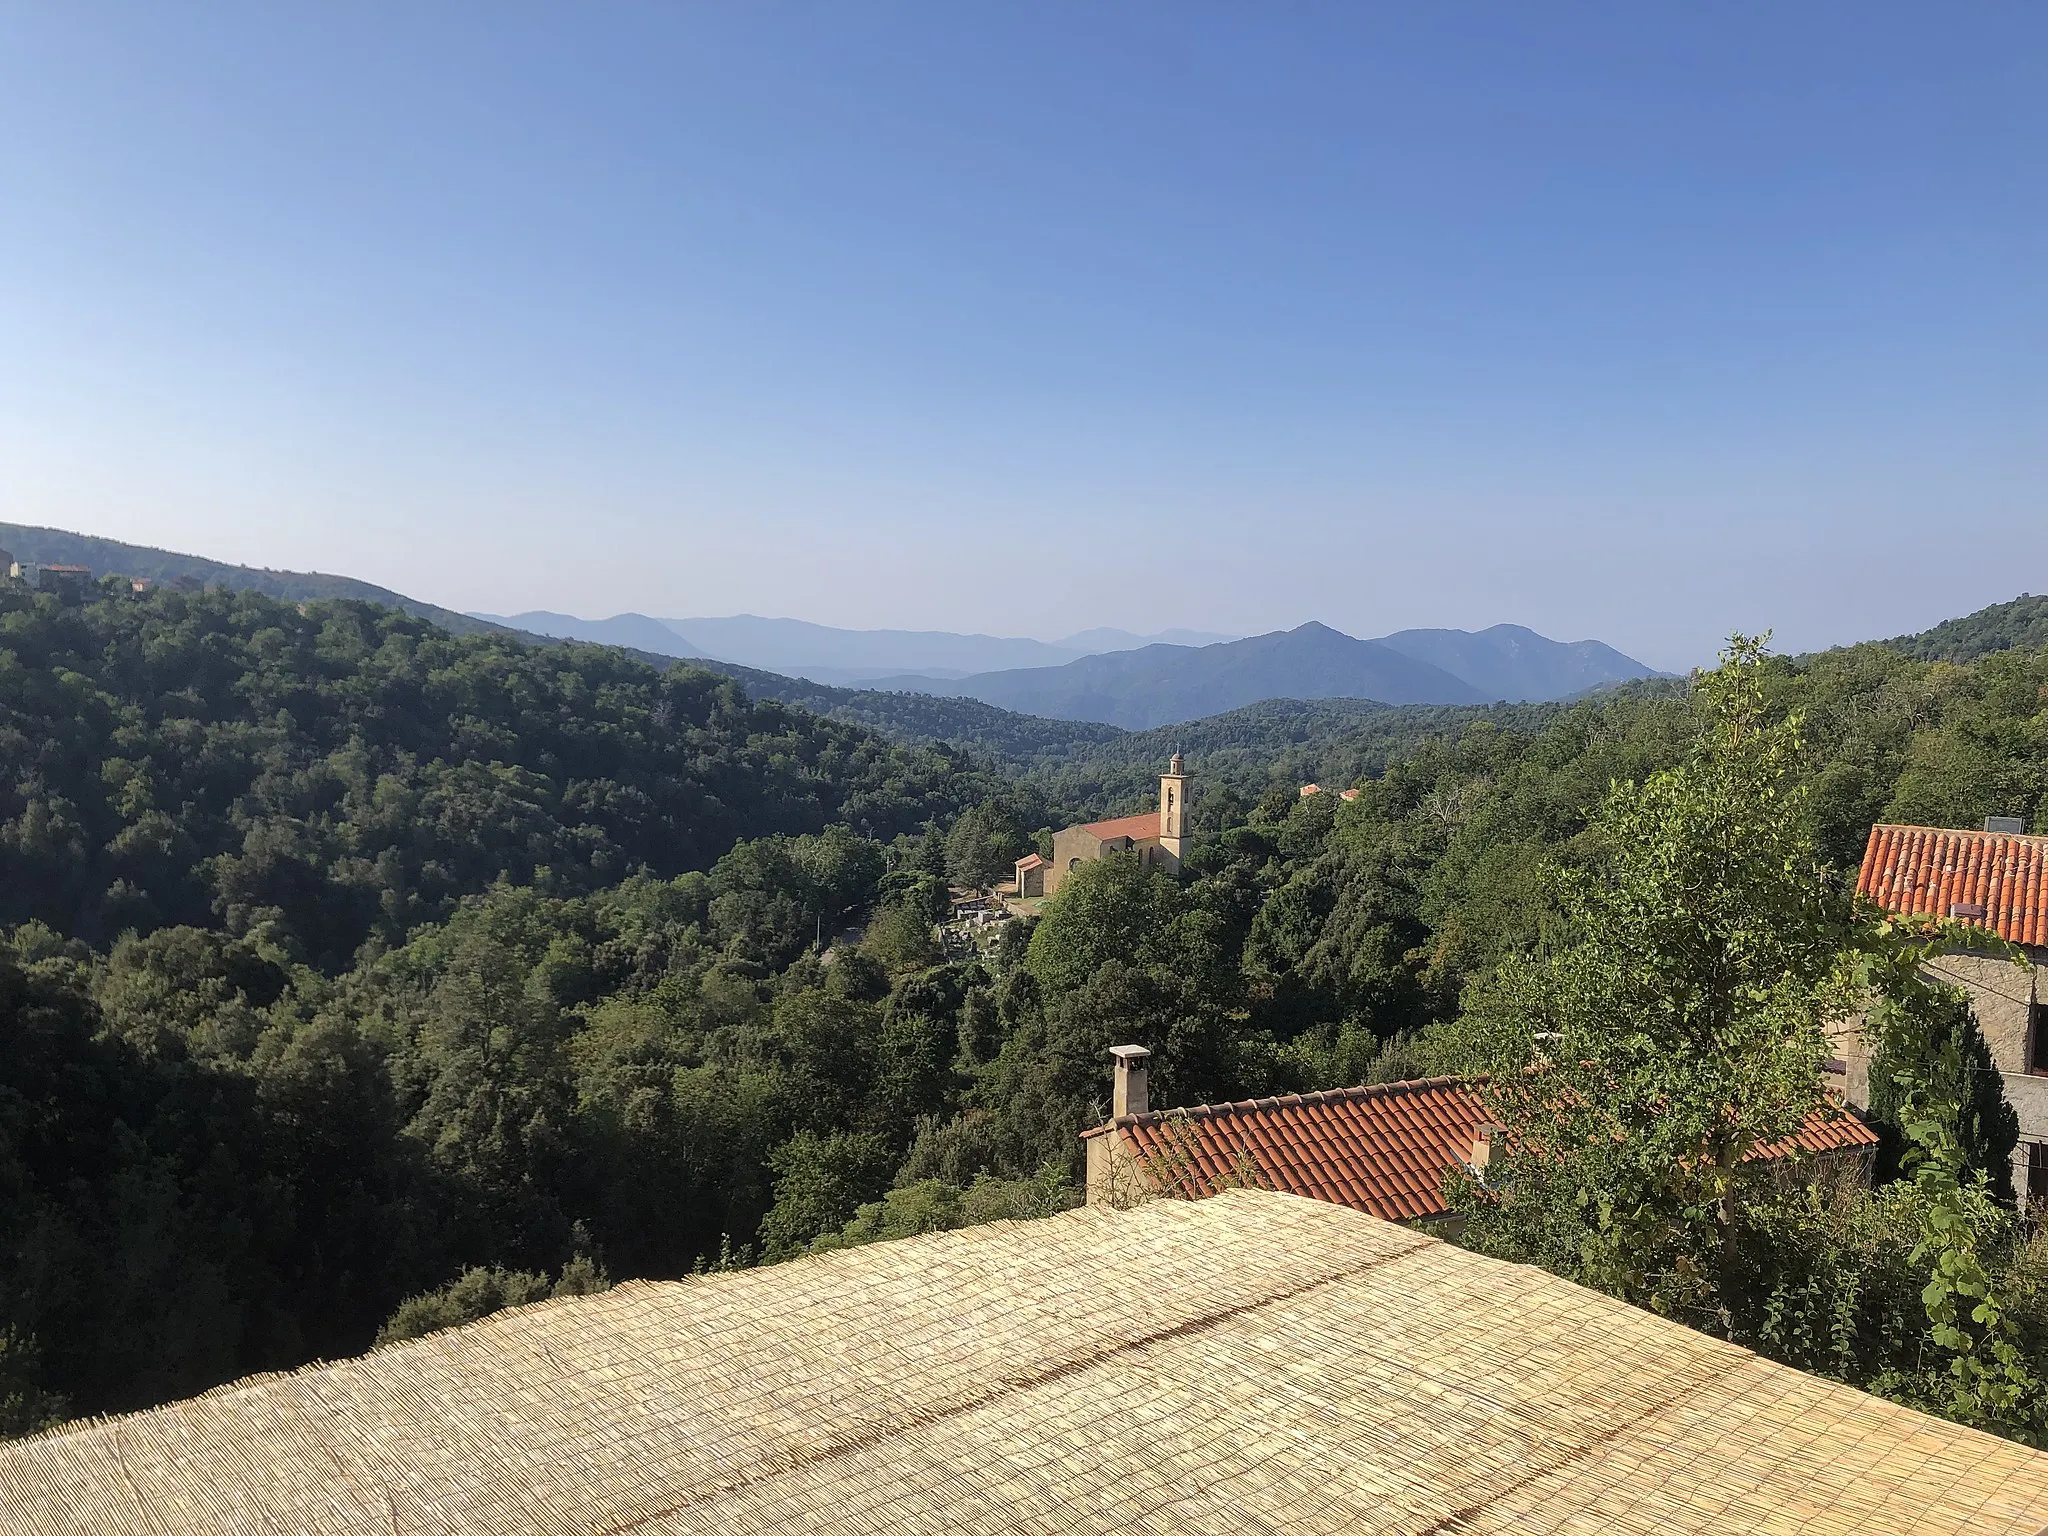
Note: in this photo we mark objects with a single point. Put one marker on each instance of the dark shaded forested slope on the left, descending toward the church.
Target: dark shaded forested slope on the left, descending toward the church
(335, 771)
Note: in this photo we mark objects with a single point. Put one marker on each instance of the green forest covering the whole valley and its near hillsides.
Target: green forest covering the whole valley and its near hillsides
(359, 978)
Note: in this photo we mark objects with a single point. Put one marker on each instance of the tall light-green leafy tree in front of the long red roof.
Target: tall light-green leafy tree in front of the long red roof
(1676, 1027)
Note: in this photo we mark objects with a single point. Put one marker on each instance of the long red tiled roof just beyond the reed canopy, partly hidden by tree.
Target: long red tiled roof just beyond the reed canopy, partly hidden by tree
(1381, 1150)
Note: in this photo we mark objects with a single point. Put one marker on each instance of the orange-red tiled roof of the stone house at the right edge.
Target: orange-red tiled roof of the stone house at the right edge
(1934, 871)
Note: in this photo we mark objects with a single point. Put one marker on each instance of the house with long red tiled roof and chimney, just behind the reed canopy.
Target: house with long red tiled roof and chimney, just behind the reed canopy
(1381, 1150)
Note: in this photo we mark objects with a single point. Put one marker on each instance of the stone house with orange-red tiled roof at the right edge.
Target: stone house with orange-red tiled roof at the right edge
(1996, 880)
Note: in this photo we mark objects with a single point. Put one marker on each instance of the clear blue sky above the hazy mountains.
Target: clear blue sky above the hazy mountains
(1641, 323)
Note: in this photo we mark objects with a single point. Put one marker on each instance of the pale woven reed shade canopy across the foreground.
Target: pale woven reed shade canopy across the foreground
(1252, 1363)
